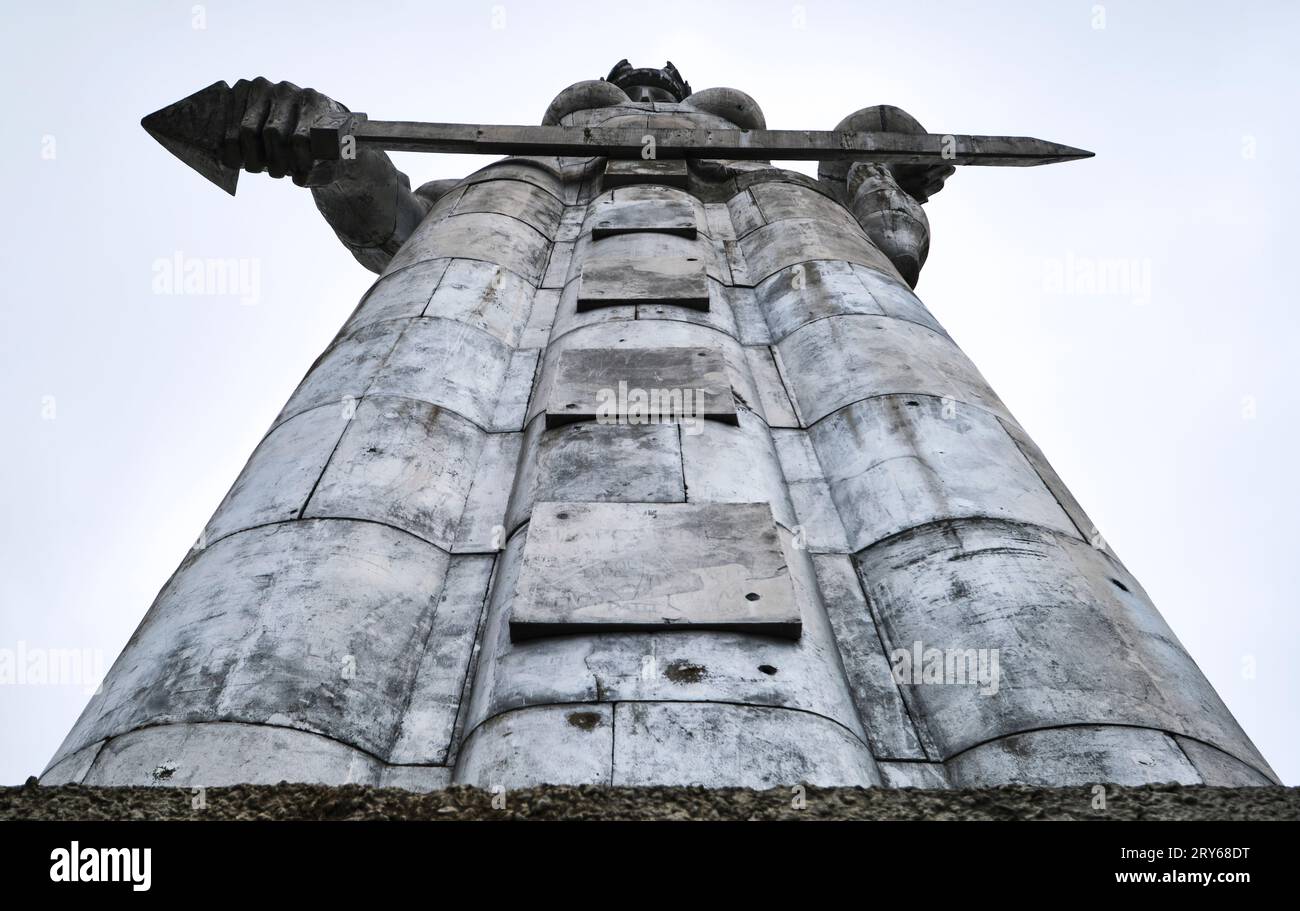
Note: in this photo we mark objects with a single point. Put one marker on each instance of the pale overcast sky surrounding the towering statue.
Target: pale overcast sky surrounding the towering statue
(1167, 397)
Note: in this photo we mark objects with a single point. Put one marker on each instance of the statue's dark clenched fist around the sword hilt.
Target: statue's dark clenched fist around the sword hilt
(268, 127)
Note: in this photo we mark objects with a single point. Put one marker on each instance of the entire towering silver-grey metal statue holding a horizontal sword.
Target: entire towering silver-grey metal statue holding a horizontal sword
(447, 563)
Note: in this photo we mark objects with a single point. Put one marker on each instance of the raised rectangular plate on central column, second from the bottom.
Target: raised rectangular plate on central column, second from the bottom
(640, 387)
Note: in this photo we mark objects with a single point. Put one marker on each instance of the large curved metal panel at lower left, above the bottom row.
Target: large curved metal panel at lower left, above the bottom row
(313, 624)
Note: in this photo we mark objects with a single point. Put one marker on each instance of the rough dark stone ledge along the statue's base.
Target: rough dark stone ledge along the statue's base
(361, 802)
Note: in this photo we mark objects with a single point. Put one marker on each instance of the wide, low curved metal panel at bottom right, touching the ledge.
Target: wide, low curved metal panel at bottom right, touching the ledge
(1072, 757)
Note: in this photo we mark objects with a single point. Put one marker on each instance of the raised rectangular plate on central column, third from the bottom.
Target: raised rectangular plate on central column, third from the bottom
(644, 280)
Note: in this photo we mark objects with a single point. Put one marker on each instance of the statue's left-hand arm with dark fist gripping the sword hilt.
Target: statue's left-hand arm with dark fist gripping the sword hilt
(367, 201)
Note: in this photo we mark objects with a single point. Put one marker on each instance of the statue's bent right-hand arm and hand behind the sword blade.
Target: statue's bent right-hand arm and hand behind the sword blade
(887, 199)
